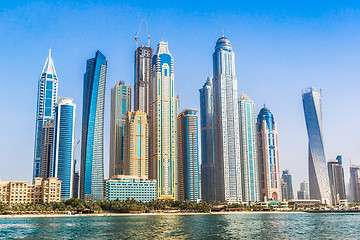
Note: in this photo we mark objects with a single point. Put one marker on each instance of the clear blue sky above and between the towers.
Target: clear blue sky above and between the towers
(281, 48)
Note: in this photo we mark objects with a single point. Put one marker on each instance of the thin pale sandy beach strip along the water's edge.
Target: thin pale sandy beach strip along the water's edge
(142, 214)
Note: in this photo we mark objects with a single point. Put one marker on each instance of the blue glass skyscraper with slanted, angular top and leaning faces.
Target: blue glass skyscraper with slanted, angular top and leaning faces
(92, 144)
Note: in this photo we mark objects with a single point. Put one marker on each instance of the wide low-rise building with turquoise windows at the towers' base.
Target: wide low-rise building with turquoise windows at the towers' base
(123, 187)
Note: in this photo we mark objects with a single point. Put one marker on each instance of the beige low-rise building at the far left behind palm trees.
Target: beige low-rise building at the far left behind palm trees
(43, 190)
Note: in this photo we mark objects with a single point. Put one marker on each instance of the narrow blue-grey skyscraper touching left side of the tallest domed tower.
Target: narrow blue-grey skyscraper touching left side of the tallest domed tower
(208, 189)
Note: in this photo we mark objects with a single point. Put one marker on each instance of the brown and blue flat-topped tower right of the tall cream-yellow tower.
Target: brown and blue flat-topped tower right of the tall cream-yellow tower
(188, 156)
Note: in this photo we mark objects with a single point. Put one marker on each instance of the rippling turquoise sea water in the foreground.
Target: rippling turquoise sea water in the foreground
(201, 226)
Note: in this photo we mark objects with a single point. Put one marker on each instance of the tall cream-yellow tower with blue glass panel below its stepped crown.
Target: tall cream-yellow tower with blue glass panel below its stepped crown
(162, 165)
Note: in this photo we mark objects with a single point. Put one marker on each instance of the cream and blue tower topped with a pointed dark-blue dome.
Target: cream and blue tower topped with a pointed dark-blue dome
(270, 184)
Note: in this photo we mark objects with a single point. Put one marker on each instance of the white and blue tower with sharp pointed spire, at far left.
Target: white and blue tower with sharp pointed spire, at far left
(46, 100)
